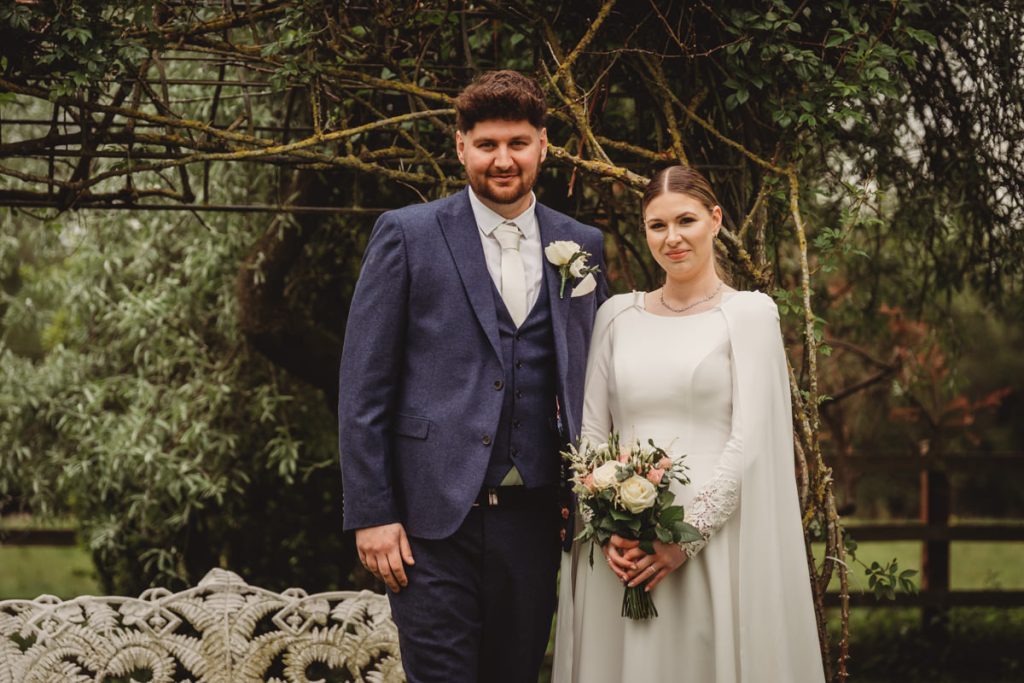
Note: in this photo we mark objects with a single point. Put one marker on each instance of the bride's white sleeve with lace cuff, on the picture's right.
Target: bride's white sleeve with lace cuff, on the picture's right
(719, 497)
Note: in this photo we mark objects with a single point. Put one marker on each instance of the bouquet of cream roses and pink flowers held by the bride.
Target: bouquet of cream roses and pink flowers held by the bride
(625, 491)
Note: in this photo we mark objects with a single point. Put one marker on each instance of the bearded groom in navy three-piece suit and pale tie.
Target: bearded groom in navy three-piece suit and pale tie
(461, 379)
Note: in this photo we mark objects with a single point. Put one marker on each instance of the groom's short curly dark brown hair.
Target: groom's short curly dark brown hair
(505, 95)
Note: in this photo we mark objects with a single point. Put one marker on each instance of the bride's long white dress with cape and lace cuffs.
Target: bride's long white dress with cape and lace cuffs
(675, 380)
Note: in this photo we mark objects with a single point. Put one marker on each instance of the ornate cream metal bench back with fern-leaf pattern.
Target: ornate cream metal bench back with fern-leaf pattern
(223, 631)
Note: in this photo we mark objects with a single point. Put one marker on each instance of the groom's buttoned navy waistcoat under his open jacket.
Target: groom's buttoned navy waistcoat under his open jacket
(528, 436)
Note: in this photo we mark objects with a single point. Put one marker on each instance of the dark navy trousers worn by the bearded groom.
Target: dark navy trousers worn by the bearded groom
(479, 605)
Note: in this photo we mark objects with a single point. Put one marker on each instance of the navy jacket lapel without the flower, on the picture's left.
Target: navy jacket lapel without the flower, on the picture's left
(463, 238)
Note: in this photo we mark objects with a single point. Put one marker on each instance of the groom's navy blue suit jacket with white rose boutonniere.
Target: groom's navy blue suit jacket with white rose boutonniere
(420, 399)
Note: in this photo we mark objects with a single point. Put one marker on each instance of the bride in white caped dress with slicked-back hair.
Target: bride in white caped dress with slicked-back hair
(699, 368)
